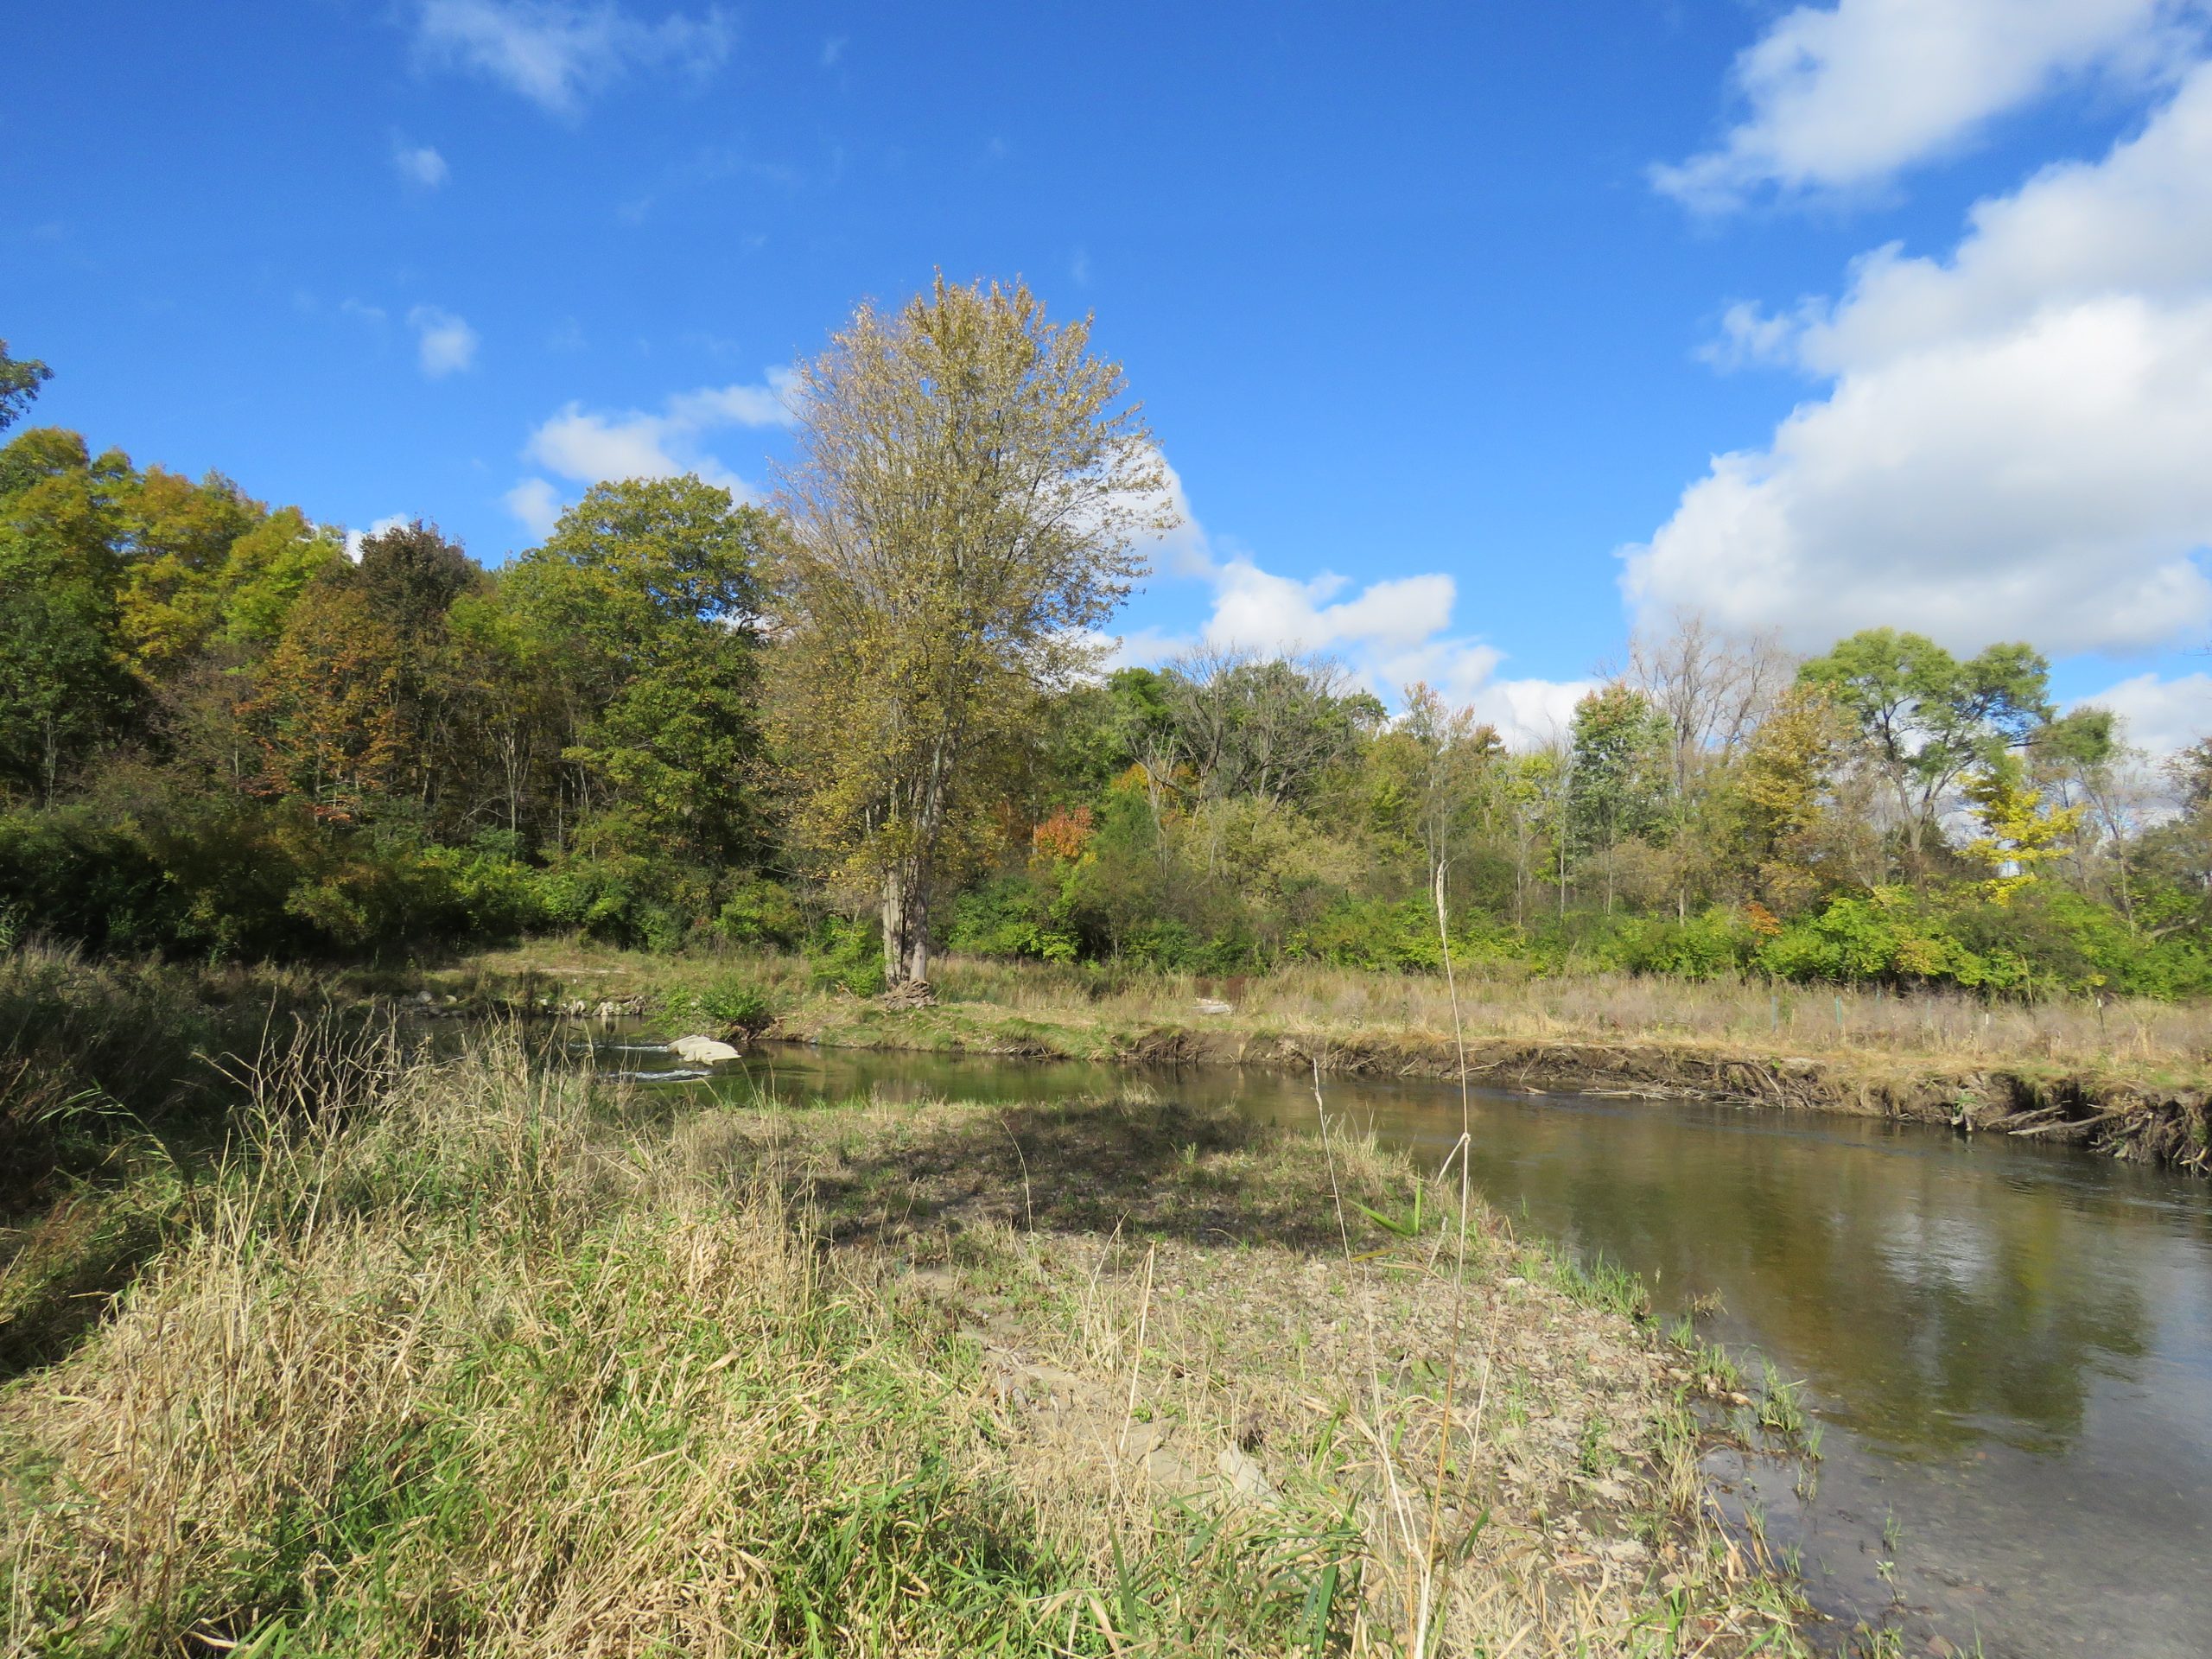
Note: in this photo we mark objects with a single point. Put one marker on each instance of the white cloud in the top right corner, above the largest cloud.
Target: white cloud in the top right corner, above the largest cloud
(1853, 94)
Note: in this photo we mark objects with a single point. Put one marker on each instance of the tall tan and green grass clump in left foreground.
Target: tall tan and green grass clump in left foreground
(448, 1370)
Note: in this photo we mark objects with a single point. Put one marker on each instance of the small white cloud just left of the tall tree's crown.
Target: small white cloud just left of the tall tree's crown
(589, 446)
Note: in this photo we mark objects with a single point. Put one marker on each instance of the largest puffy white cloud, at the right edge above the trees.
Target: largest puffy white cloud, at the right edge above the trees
(2012, 439)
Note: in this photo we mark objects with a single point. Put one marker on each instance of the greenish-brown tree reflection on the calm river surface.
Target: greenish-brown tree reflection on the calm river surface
(1934, 1295)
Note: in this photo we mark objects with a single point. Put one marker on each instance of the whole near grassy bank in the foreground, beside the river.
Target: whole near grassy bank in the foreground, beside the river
(477, 1357)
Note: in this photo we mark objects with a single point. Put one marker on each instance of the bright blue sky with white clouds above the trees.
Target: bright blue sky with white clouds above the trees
(1450, 320)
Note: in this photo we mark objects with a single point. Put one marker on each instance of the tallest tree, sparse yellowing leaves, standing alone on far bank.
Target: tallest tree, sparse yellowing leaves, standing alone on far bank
(970, 497)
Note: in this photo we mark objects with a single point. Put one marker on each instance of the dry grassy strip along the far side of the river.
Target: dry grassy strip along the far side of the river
(2156, 1109)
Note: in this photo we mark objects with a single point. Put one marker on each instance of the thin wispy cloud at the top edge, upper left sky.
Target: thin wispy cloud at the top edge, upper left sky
(559, 54)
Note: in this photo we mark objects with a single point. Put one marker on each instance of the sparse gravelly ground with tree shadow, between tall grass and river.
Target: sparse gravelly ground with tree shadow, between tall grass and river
(1171, 1308)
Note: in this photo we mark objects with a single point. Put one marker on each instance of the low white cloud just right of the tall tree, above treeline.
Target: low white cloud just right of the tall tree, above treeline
(1388, 634)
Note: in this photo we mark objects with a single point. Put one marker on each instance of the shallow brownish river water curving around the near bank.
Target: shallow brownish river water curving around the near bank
(2010, 1348)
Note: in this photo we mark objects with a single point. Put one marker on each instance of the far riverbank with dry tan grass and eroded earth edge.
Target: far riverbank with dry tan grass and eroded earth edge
(2127, 1081)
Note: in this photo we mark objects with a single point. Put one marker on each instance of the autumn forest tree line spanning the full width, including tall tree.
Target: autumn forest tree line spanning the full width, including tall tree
(833, 724)
